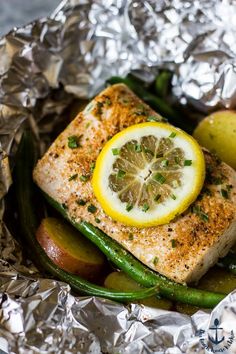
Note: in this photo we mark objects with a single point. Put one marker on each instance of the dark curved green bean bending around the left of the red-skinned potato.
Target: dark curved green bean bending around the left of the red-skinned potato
(25, 193)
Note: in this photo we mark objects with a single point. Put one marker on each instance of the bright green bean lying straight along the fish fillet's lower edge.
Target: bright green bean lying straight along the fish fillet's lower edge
(136, 270)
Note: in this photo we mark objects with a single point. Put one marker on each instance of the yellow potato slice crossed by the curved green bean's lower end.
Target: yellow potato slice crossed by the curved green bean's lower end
(121, 281)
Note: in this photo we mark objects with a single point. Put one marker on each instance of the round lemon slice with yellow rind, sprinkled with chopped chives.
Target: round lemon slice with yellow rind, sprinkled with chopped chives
(148, 173)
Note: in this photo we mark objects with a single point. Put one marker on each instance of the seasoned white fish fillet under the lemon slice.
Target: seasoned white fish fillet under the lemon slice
(182, 250)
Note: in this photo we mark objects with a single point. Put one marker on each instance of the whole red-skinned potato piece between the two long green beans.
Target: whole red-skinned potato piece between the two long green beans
(68, 249)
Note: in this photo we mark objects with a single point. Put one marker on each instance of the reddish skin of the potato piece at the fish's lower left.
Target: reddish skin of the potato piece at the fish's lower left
(67, 262)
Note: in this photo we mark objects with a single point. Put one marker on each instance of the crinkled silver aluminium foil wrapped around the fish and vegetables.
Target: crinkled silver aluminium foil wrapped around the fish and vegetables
(43, 66)
